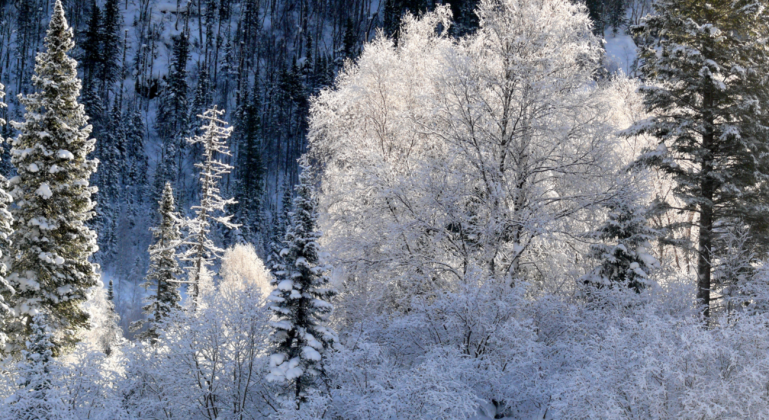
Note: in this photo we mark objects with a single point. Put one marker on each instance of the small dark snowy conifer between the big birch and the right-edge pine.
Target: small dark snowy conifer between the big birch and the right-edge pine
(624, 255)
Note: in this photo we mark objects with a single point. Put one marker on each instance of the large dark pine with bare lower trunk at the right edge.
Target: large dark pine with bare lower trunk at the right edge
(705, 63)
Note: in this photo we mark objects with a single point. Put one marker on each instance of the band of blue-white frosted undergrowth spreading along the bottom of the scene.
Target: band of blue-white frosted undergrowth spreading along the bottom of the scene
(477, 352)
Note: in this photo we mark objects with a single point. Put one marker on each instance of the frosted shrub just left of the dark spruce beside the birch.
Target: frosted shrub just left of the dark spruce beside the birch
(207, 364)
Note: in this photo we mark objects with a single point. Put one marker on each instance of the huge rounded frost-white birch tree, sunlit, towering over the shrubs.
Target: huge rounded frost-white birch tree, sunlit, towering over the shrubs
(444, 159)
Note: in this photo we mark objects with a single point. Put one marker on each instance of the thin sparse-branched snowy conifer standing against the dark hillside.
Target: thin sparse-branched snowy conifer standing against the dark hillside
(201, 250)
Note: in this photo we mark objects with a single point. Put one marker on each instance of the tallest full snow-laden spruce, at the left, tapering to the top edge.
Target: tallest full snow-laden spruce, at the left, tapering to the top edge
(52, 244)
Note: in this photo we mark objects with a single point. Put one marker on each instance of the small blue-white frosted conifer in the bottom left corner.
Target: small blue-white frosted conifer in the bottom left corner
(36, 397)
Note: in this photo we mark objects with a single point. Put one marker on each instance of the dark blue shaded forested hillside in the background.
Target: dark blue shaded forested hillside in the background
(148, 67)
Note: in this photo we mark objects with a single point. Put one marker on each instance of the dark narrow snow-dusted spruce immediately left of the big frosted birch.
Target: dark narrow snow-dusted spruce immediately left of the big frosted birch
(300, 302)
